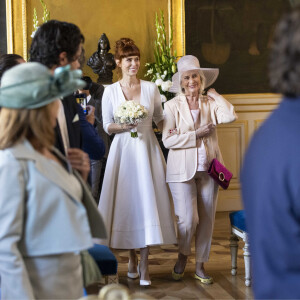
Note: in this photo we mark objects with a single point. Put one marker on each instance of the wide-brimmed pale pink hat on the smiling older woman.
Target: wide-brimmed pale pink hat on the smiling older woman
(188, 63)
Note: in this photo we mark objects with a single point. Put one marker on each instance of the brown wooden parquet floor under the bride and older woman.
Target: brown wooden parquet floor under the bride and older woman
(162, 260)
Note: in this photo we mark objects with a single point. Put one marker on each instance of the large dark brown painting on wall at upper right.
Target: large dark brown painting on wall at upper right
(234, 36)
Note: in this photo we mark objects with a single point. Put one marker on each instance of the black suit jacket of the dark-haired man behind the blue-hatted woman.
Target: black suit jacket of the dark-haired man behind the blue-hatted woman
(70, 109)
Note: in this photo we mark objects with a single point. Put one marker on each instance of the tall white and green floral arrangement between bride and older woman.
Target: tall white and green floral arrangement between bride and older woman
(164, 67)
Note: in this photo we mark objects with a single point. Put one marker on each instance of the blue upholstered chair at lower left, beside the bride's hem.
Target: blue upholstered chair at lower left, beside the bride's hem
(106, 262)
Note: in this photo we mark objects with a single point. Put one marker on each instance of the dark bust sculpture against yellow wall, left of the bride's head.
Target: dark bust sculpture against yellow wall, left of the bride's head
(102, 62)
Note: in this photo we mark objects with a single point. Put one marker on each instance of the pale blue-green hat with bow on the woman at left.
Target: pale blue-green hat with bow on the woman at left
(31, 85)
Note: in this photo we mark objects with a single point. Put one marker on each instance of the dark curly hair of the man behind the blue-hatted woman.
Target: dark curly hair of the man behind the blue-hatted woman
(53, 38)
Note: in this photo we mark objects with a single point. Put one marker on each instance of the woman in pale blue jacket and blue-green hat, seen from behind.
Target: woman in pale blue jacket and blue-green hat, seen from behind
(47, 212)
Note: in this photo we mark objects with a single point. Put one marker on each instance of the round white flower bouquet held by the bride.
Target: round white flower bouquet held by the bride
(130, 112)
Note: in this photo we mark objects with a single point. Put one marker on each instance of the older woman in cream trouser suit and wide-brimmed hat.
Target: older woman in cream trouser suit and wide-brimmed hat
(189, 133)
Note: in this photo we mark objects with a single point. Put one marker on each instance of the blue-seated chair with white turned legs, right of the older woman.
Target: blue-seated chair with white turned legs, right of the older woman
(238, 231)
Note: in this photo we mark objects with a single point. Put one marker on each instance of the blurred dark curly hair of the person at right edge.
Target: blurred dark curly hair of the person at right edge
(284, 65)
